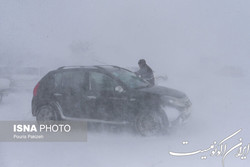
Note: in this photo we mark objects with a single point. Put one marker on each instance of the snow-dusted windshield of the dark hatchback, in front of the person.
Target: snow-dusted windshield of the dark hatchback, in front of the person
(130, 79)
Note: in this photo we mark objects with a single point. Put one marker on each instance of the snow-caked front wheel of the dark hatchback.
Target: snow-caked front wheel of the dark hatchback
(151, 123)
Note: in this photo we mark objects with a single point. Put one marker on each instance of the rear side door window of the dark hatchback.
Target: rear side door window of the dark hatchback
(74, 80)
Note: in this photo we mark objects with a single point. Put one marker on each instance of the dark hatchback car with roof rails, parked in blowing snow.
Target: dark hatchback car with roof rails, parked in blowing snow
(108, 95)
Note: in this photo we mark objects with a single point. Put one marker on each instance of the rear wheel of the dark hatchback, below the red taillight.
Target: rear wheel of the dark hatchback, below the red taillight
(47, 113)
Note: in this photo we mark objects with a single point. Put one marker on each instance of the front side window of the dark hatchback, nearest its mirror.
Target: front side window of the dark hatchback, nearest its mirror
(101, 82)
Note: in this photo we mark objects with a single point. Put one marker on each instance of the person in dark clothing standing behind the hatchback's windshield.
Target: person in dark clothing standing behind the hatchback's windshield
(145, 72)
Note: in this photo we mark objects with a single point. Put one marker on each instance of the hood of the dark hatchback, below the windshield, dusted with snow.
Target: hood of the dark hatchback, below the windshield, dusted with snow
(164, 91)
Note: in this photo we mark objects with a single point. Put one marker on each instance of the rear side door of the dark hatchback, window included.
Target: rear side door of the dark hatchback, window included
(70, 86)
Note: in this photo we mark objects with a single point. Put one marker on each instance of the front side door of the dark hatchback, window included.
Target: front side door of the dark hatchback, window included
(104, 103)
